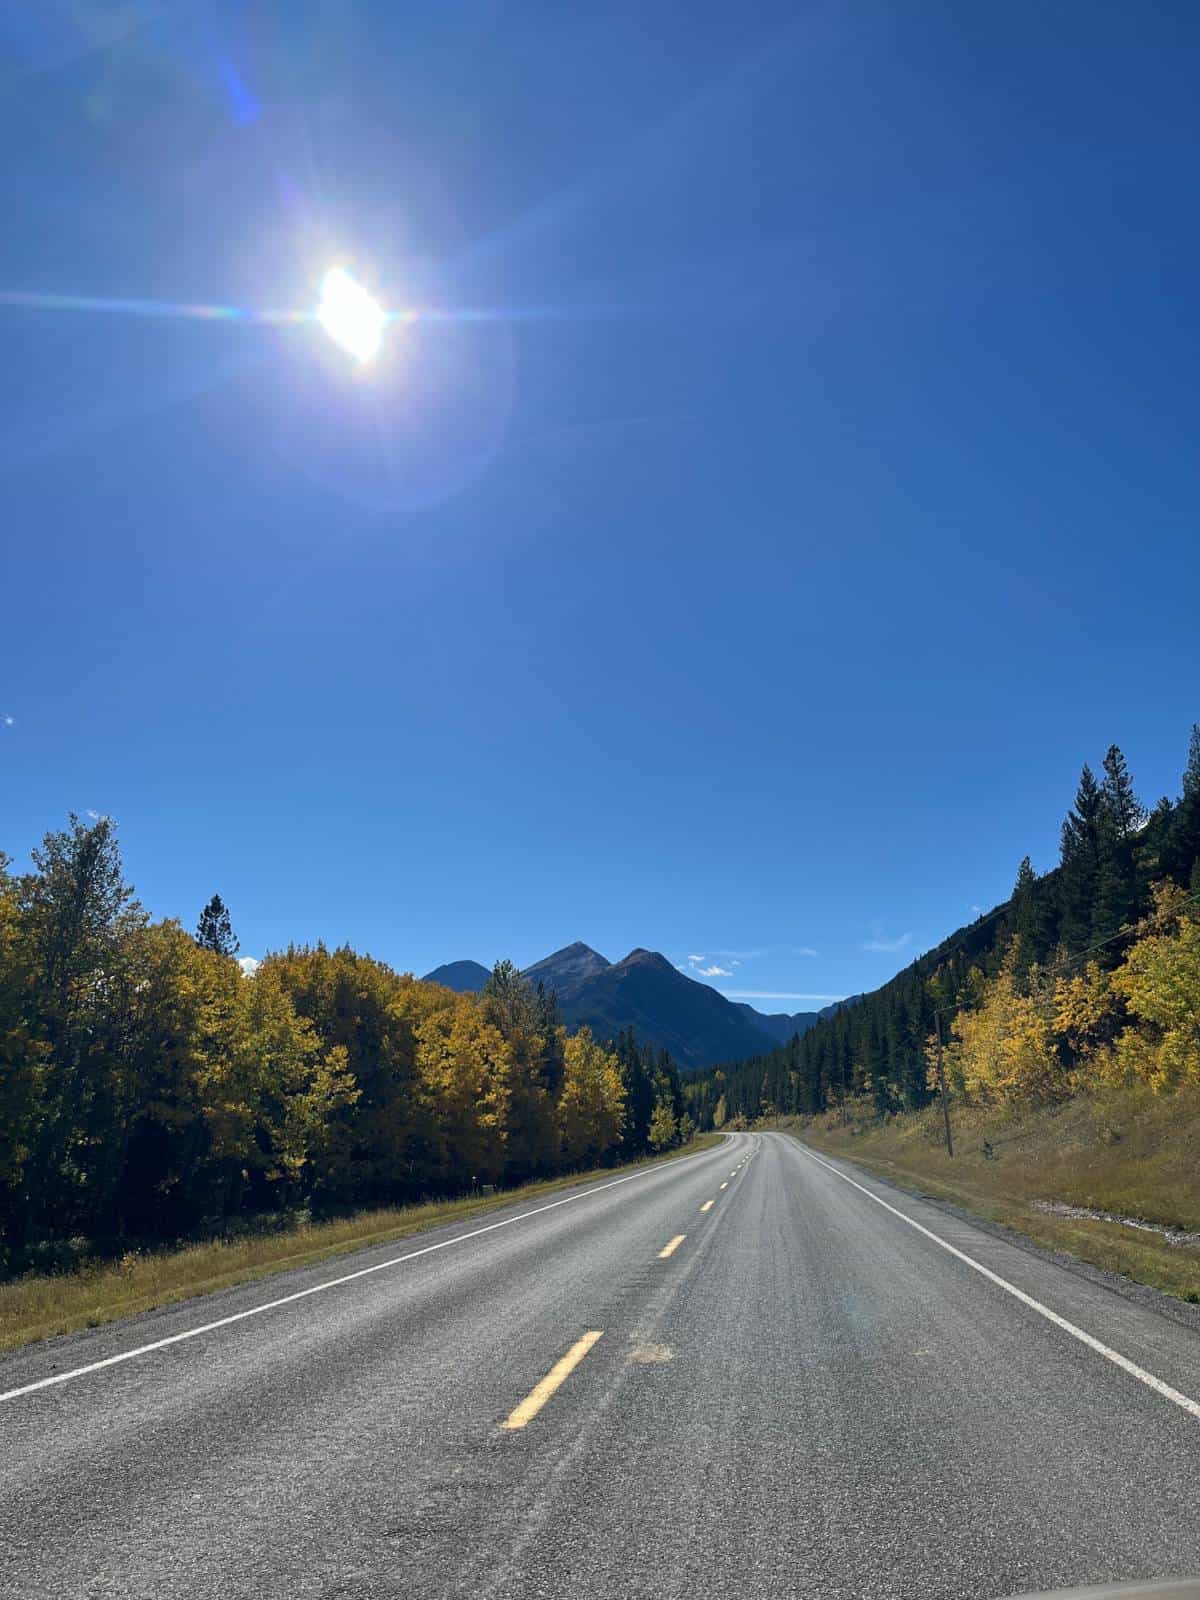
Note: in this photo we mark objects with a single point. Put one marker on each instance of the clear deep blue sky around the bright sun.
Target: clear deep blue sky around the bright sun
(798, 484)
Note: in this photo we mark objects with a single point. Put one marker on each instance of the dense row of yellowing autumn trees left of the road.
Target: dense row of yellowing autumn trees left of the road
(150, 1089)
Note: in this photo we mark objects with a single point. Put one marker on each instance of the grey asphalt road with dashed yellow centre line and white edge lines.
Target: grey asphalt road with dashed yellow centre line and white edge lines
(807, 1398)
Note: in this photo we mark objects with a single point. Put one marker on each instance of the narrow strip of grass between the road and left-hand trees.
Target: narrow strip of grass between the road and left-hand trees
(41, 1306)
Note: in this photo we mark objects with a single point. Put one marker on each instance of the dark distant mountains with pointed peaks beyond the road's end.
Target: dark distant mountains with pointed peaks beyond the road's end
(646, 993)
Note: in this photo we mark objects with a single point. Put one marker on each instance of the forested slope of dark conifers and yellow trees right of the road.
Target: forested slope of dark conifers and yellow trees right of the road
(1092, 969)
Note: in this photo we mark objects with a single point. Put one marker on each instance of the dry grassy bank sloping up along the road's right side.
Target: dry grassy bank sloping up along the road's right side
(1126, 1151)
